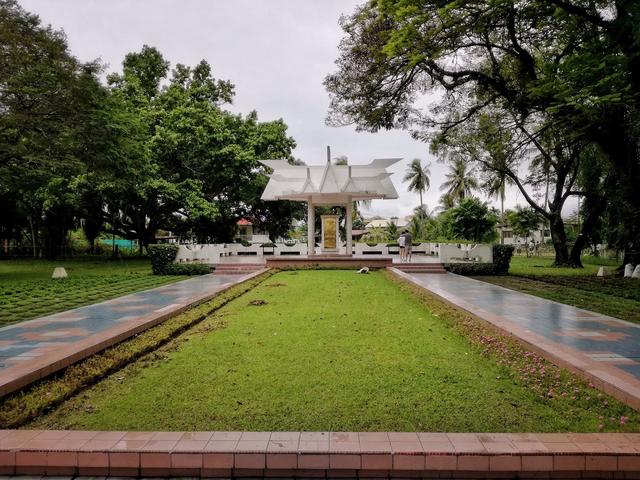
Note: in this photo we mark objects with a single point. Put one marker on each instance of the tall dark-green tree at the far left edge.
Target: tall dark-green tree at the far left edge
(52, 125)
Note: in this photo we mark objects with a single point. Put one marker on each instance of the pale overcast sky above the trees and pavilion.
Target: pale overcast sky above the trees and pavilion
(276, 52)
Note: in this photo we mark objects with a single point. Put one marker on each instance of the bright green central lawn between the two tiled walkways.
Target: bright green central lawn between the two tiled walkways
(332, 350)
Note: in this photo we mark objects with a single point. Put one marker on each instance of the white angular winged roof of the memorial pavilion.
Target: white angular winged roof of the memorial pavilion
(330, 184)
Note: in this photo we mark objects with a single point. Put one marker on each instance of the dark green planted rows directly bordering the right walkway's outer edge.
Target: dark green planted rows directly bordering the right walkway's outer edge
(611, 296)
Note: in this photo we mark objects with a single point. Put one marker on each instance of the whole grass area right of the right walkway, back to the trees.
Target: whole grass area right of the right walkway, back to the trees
(615, 296)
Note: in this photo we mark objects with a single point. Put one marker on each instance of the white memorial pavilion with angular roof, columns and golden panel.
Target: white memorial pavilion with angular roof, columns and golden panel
(332, 186)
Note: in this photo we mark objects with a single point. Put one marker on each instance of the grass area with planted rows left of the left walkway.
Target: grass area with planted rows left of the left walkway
(28, 291)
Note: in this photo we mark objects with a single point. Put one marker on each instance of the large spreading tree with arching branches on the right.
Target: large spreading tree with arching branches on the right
(583, 86)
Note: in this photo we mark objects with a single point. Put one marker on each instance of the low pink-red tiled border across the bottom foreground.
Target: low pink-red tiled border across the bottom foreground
(319, 454)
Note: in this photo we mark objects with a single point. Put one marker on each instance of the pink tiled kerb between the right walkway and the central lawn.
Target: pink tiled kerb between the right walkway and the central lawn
(611, 381)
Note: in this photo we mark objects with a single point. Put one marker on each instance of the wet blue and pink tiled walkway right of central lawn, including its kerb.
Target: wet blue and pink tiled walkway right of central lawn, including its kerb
(604, 349)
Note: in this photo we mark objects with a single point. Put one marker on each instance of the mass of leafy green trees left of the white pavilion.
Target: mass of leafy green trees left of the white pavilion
(149, 151)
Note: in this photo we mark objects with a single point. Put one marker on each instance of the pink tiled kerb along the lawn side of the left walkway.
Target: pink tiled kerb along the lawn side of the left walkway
(19, 376)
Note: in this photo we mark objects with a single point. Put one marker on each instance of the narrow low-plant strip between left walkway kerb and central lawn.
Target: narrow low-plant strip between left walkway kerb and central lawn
(22, 406)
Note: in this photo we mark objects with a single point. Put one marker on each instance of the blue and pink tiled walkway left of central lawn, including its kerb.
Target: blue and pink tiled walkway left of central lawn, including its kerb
(36, 348)
